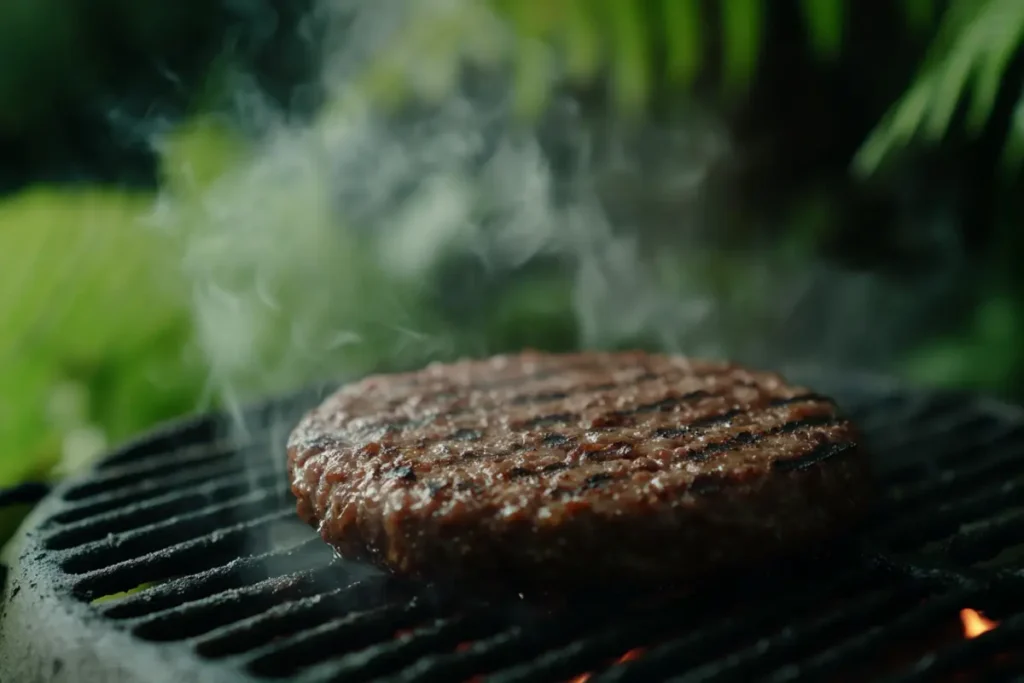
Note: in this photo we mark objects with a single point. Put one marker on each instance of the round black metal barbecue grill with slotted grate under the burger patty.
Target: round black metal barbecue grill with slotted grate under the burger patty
(181, 559)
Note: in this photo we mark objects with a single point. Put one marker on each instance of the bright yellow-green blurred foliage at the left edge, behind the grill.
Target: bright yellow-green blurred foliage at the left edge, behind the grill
(95, 327)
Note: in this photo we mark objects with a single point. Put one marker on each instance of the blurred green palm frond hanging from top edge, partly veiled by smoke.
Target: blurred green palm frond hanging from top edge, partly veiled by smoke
(584, 40)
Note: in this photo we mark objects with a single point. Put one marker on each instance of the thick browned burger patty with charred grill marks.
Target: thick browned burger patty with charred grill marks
(539, 468)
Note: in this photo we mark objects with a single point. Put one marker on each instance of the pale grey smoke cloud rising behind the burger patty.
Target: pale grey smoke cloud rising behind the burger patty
(388, 230)
